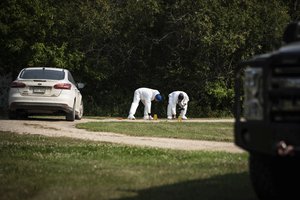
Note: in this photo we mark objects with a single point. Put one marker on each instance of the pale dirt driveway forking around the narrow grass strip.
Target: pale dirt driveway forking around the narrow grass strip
(62, 128)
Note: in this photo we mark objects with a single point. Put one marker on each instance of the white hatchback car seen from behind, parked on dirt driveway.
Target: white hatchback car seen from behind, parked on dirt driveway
(45, 90)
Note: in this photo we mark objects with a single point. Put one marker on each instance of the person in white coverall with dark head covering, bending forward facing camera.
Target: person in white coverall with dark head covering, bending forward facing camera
(181, 99)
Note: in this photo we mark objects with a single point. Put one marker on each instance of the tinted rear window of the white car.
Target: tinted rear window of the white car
(42, 74)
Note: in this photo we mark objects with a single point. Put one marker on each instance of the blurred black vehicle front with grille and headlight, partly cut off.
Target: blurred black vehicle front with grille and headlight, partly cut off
(267, 118)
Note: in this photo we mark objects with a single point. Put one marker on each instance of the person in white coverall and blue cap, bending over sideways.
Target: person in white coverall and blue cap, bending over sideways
(145, 95)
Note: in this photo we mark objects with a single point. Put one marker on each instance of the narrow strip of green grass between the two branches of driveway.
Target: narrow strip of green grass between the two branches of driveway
(221, 131)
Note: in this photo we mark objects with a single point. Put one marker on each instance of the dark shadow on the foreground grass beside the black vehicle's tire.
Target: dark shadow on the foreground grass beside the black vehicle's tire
(226, 187)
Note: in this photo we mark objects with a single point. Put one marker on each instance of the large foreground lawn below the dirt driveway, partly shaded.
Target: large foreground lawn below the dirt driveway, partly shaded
(37, 167)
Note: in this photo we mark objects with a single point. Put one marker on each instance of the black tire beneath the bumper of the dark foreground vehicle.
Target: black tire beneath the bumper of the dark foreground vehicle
(274, 177)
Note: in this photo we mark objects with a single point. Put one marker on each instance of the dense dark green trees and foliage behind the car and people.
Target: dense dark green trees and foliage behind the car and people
(116, 46)
